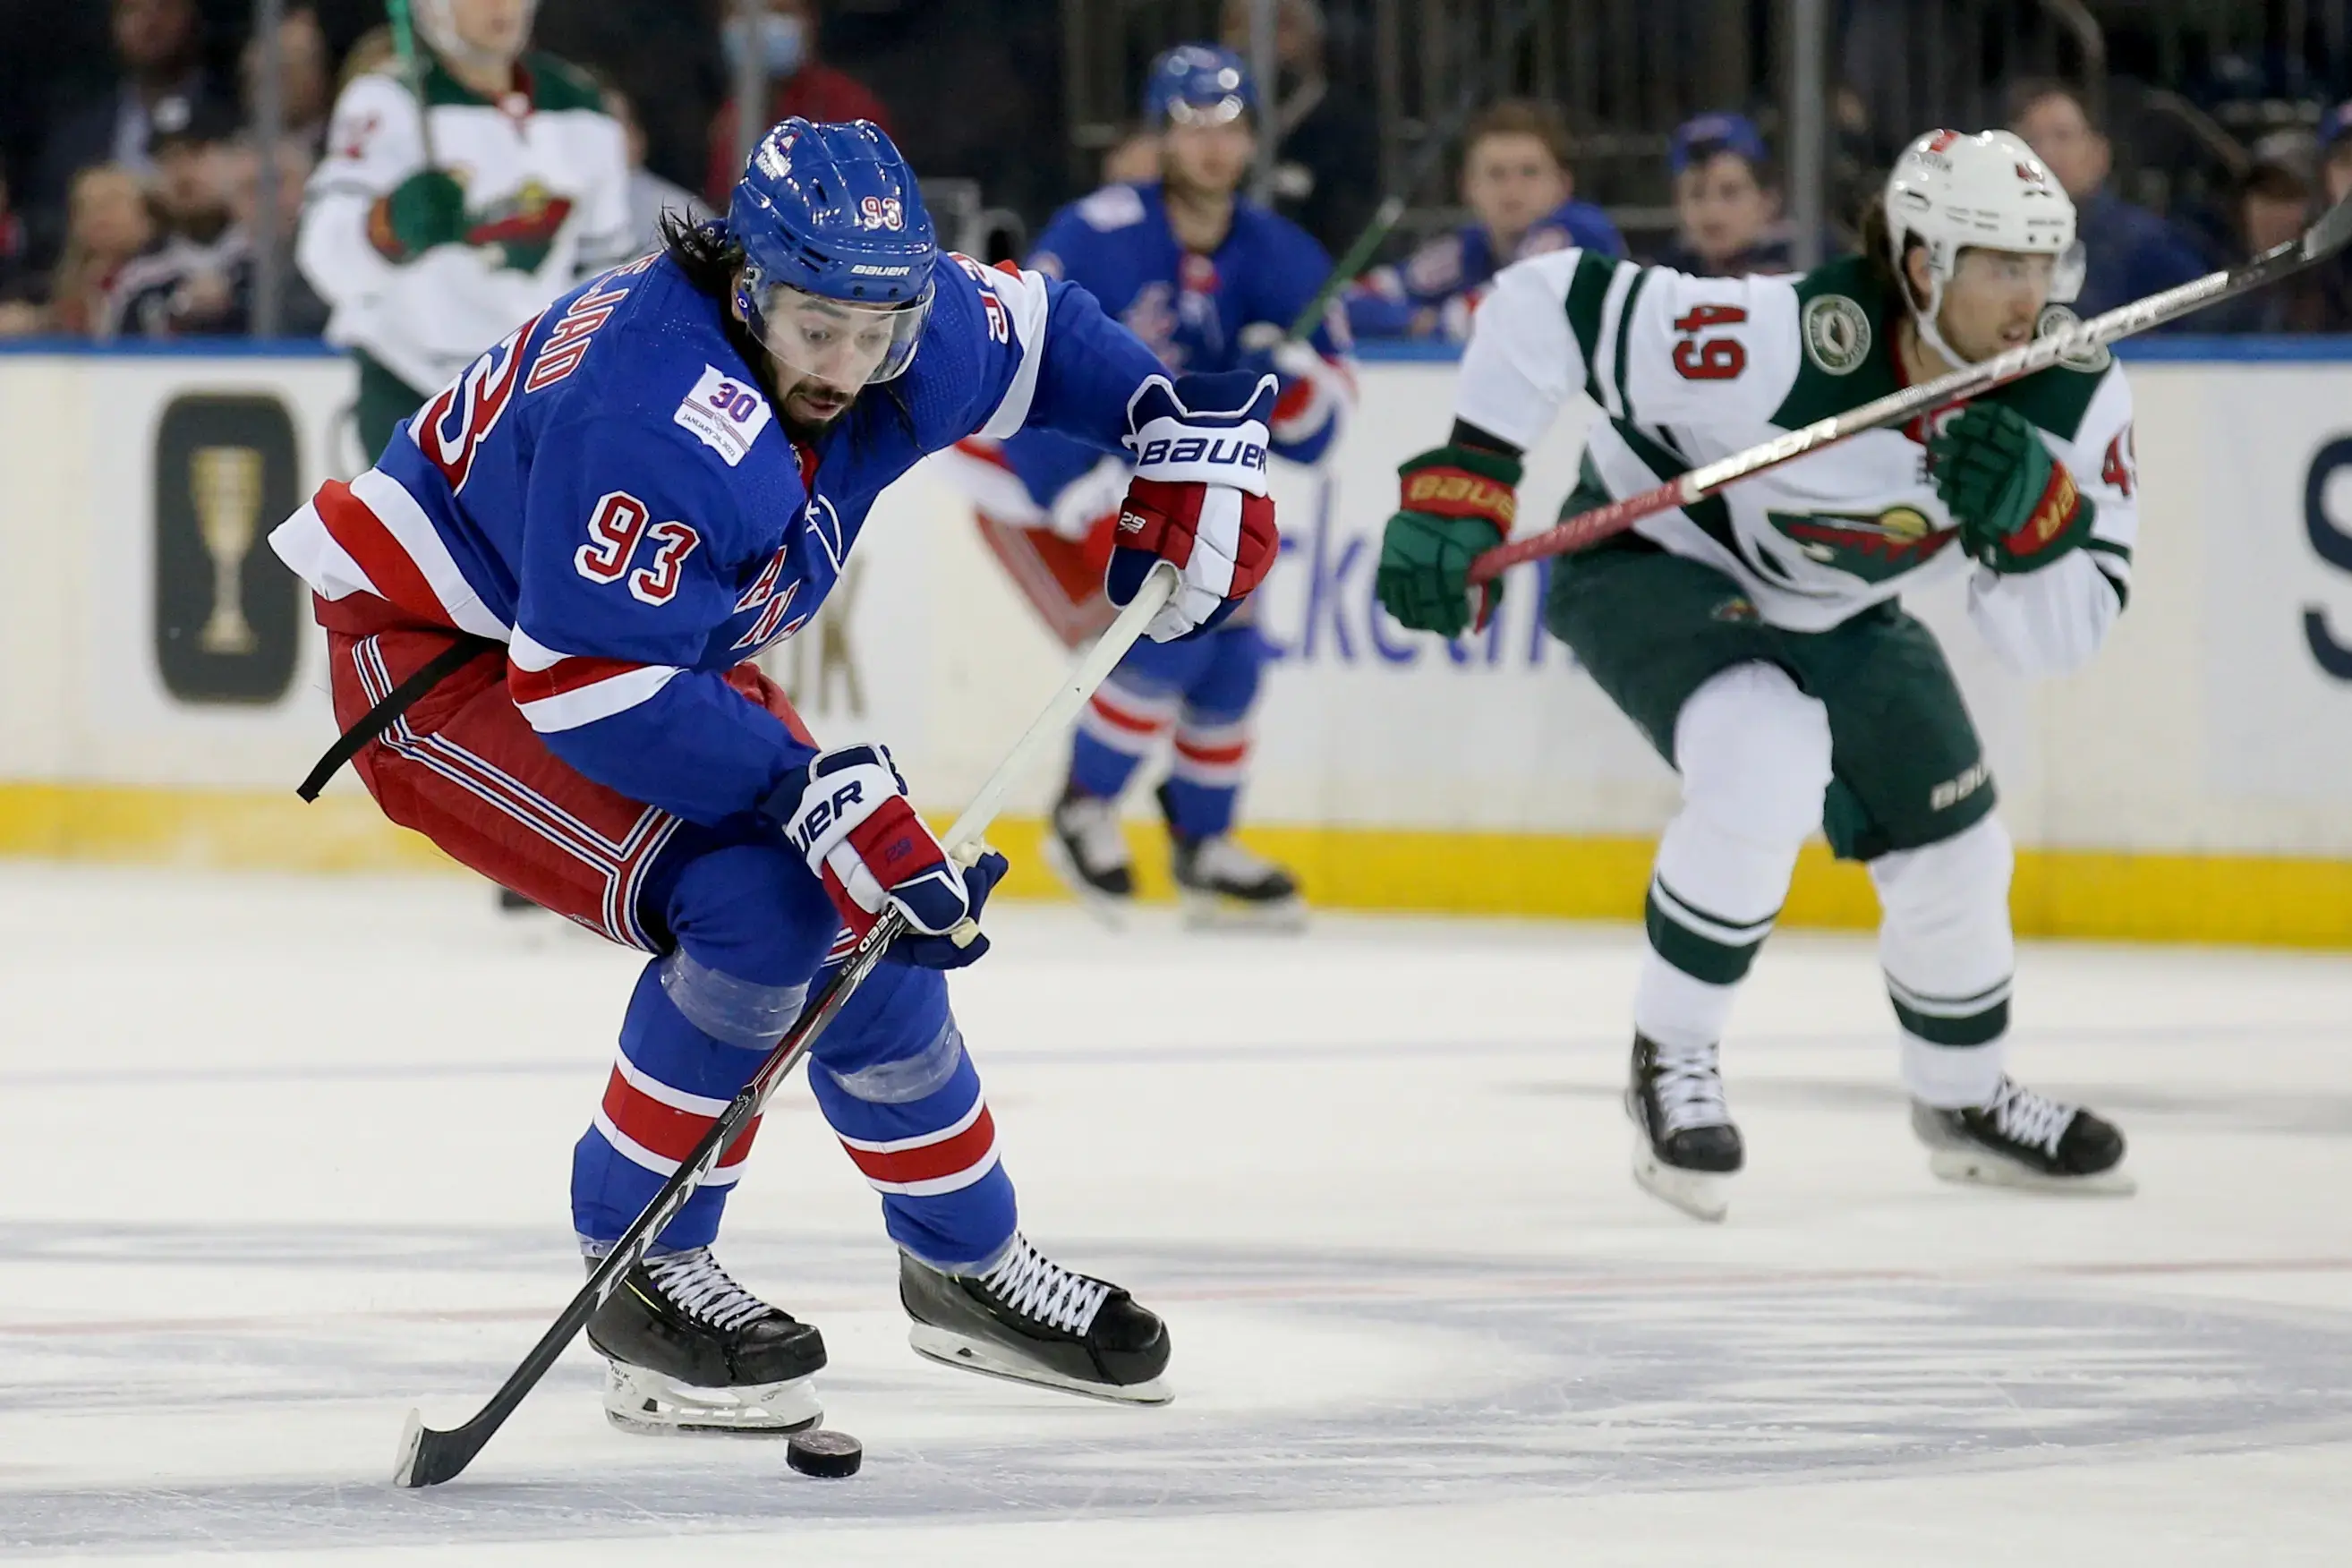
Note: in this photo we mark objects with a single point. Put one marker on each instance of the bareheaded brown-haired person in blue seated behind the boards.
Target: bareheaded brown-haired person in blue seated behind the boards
(1518, 185)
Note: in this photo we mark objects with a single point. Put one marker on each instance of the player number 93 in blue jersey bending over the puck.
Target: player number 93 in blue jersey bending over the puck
(542, 605)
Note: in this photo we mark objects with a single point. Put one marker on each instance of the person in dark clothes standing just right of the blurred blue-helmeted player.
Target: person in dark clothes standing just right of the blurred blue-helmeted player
(1328, 147)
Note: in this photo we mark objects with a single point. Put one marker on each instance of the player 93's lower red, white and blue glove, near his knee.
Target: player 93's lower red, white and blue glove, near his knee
(850, 817)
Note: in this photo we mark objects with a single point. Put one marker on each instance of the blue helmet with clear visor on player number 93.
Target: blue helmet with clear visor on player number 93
(838, 250)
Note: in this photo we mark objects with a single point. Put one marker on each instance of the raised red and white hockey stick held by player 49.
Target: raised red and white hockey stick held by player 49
(2318, 243)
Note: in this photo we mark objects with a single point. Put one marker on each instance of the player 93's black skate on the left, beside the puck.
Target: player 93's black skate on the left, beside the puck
(693, 1351)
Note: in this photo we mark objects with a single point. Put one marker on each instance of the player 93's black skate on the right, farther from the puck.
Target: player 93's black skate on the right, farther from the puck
(1036, 1322)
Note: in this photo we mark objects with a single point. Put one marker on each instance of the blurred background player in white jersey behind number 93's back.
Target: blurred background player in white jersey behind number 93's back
(436, 229)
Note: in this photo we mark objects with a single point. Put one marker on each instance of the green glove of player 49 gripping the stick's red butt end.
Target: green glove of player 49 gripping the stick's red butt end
(1455, 504)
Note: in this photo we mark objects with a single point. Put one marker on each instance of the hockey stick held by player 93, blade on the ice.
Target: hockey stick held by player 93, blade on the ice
(432, 1456)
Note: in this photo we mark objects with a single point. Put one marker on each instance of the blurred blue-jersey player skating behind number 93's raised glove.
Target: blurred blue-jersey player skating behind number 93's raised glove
(1210, 281)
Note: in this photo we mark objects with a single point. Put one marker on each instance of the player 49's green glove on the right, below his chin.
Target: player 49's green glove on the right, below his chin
(2014, 502)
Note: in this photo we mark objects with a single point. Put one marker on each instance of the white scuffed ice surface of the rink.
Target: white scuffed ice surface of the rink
(283, 1158)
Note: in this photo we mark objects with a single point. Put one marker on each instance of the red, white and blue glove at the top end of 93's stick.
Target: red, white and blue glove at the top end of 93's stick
(1198, 500)
